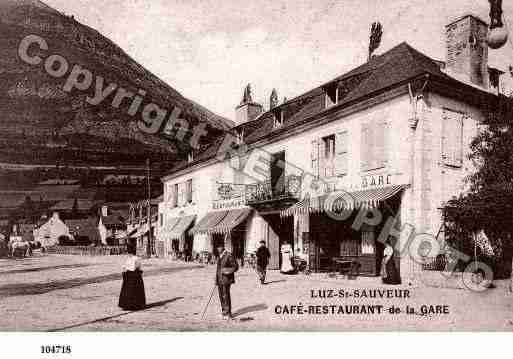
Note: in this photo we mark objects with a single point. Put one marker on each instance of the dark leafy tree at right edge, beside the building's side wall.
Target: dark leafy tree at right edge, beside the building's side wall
(488, 205)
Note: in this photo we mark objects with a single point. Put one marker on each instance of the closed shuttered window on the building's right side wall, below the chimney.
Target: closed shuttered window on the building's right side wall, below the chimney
(452, 138)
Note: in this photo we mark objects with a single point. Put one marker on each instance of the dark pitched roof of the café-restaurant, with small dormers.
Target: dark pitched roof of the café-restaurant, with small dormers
(395, 67)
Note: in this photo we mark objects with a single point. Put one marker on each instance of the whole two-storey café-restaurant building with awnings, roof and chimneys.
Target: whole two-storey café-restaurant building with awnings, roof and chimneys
(369, 156)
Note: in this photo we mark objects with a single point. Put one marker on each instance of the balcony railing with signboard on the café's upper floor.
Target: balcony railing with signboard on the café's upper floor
(288, 188)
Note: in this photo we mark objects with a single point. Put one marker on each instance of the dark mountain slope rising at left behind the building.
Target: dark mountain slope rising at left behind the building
(42, 124)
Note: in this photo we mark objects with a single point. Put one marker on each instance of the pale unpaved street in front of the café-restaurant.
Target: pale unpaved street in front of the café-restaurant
(72, 293)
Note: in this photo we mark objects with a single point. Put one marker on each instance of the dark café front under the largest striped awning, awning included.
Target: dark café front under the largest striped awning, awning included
(334, 231)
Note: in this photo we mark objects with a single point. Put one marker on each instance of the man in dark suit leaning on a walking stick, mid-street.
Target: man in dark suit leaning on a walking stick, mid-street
(225, 276)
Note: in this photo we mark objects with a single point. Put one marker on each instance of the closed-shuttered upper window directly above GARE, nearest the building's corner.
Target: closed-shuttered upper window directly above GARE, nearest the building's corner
(374, 149)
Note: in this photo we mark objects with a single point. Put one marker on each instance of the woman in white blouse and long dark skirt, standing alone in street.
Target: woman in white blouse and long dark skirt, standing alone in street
(132, 296)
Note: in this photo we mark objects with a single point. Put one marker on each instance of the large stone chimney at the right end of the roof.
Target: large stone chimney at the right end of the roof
(467, 50)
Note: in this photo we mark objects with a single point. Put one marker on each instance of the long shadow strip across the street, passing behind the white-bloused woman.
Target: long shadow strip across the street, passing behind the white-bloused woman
(12, 290)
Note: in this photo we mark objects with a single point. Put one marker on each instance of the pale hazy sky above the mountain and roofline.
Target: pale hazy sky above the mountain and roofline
(209, 50)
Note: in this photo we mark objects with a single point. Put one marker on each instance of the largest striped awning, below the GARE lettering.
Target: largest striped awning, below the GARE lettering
(341, 200)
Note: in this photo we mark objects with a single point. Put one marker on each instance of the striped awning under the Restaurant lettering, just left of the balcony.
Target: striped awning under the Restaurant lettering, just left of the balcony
(221, 222)
